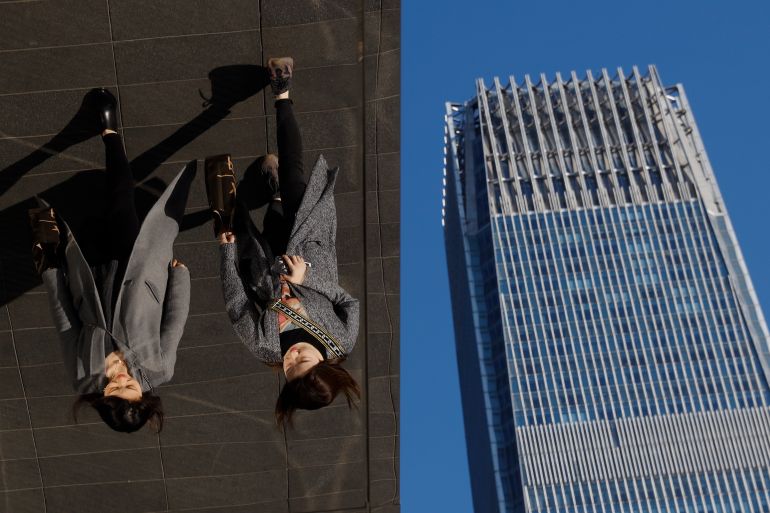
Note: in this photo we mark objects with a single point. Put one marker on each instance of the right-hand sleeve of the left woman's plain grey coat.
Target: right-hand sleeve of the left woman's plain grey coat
(176, 307)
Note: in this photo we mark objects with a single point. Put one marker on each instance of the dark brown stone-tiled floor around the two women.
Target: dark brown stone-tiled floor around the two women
(219, 450)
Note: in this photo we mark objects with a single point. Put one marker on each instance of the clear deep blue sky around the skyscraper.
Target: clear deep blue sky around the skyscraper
(718, 51)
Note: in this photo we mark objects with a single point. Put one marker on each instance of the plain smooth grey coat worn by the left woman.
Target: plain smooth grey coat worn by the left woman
(149, 315)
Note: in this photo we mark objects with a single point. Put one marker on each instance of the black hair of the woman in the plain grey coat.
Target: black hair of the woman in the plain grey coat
(122, 415)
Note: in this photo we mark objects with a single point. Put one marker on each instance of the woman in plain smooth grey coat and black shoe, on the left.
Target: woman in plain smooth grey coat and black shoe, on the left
(121, 313)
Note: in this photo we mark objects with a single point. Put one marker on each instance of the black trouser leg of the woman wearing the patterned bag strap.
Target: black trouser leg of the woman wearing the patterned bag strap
(280, 216)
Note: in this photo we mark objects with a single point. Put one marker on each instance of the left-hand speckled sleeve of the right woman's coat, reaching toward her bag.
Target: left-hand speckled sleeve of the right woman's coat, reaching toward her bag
(249, 322)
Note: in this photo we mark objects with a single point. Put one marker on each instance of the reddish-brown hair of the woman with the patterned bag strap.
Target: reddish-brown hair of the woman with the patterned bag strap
(316, 389)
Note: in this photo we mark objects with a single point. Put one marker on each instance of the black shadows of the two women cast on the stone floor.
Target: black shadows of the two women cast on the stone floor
(76, 199)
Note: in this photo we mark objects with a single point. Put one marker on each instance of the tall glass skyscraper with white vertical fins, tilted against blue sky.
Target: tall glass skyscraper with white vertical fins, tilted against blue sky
(612, 352)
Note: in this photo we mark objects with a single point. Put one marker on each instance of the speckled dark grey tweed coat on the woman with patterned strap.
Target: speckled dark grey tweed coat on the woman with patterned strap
(249, 284)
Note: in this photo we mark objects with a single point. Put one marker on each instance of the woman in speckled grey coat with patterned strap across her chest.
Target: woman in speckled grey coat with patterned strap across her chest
(281, 286)
